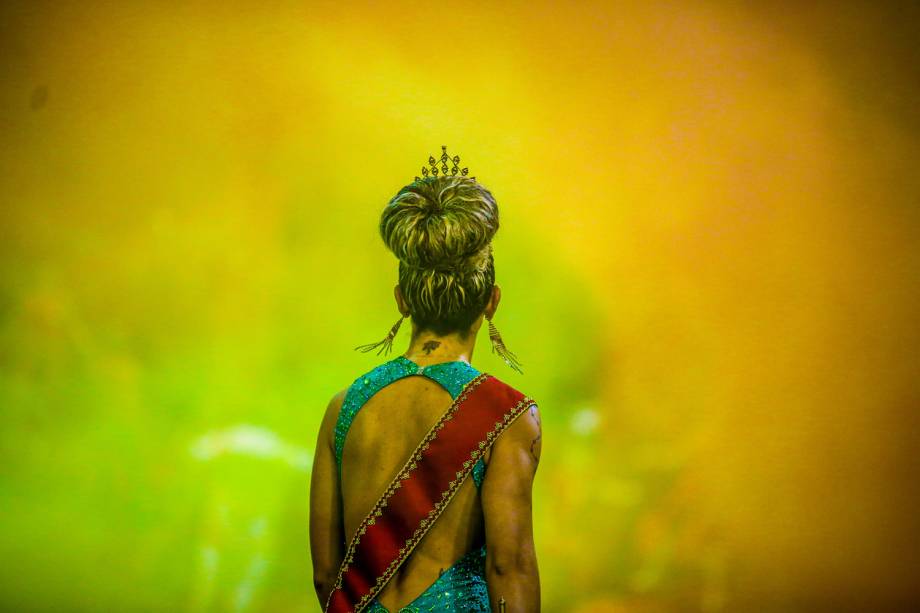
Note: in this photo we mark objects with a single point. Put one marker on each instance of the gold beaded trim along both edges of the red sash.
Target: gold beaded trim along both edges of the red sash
(446, 496)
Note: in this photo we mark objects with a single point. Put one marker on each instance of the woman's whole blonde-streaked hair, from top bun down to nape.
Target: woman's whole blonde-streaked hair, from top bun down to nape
(440, 229)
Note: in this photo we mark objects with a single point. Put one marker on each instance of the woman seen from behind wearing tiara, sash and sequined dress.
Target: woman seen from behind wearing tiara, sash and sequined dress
(421, 487)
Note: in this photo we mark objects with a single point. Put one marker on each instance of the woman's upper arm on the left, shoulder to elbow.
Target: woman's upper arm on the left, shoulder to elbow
(326, 528)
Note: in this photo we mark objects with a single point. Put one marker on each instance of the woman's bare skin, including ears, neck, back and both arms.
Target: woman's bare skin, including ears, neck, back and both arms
(382, 436)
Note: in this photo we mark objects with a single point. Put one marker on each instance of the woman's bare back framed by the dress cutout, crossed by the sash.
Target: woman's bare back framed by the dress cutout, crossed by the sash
(382, 436)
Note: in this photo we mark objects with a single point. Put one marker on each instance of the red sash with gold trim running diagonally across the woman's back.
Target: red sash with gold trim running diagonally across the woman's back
(422, 489)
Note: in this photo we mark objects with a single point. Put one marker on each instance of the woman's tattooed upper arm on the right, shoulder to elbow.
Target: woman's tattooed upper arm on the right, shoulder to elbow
(507, 493)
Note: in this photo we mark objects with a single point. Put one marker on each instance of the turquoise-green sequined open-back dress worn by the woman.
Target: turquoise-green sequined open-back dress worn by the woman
(462, 587)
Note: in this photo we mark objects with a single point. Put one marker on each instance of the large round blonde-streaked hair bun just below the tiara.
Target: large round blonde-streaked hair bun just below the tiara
(442, 224)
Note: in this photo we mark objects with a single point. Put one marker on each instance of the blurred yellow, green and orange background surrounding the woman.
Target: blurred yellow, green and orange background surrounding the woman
(709, 258)
